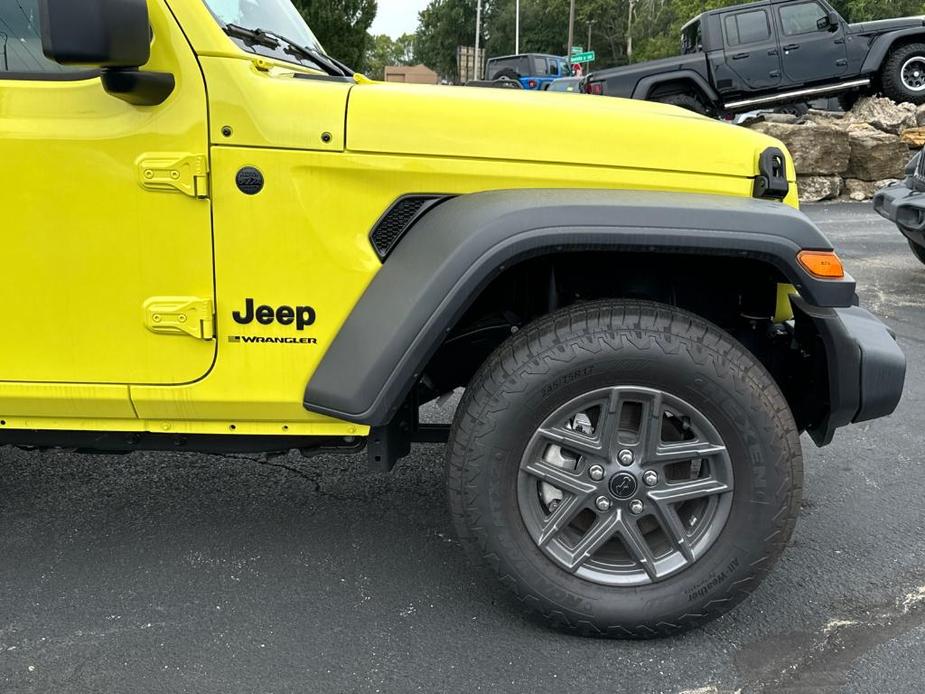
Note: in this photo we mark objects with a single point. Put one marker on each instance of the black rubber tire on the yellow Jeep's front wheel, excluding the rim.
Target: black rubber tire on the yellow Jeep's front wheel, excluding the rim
(610, 343)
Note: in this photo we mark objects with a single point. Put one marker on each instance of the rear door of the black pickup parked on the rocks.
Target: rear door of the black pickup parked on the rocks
(752, 56)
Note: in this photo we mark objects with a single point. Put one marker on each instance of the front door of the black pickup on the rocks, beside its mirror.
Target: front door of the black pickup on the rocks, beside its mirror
(811, 50)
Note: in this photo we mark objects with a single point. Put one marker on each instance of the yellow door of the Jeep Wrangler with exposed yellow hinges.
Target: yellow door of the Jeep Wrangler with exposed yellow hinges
(106, 228)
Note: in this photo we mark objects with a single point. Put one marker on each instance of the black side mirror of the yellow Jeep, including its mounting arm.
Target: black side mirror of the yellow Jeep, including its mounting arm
(114, 35)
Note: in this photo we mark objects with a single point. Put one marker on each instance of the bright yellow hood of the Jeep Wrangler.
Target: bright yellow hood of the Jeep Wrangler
(514, 125)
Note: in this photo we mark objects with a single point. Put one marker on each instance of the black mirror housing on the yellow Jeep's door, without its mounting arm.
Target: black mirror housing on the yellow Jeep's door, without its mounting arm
(101, 33)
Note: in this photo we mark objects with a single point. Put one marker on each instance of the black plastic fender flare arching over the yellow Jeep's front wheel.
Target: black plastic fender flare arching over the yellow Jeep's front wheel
(451, 253)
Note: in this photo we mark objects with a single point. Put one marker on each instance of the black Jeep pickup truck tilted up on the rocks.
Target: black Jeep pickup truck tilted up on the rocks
(775, 52)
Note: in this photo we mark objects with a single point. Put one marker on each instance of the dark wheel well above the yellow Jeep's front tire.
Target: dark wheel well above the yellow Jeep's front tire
(737, 294)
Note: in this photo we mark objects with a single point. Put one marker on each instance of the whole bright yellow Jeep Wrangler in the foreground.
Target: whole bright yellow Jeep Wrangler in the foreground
(218, 238)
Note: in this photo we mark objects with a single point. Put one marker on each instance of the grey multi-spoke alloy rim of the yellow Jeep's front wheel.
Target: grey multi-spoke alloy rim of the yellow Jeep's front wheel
(644, 532)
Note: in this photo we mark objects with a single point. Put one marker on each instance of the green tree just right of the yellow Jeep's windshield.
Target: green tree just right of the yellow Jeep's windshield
(342, 26)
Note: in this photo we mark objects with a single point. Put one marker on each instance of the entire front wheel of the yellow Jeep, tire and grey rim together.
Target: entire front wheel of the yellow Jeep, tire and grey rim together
(626, 468)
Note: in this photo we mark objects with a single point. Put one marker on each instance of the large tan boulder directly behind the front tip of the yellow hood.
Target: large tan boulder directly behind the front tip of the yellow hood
(818, 150)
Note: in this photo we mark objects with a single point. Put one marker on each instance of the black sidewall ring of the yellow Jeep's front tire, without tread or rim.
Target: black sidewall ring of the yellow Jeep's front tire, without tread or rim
(685, 368)
